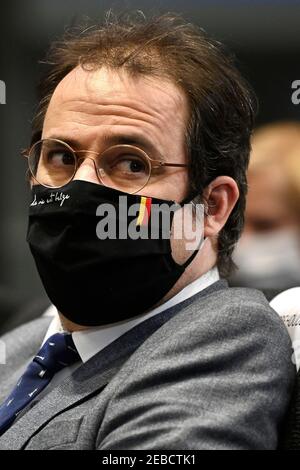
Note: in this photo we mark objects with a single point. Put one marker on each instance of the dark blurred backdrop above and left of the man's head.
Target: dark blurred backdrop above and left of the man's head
(263, 34)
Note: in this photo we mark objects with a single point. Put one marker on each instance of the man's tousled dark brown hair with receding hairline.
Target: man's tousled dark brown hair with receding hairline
(222, 106)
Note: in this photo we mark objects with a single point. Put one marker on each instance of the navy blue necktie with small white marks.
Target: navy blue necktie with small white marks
(57, 352)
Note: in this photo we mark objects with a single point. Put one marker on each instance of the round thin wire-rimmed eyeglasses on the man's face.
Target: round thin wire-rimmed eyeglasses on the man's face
(53, 163)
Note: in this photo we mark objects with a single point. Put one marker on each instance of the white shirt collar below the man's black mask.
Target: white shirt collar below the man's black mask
(89, 342)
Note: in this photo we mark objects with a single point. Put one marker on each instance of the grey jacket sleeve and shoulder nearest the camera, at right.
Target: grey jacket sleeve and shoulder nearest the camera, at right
(217, 375)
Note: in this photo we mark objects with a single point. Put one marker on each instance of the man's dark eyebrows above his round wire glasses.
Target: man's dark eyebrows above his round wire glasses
(117, 139)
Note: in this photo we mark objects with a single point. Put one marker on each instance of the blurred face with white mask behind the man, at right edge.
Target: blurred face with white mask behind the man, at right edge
(268, 254)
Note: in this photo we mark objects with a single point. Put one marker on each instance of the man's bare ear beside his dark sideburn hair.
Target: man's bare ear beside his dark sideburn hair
(220, 197)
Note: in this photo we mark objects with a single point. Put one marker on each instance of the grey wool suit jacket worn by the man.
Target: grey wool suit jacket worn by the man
(214, 372)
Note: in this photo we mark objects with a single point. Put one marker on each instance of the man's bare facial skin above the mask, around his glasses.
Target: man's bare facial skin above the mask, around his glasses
(89, 110)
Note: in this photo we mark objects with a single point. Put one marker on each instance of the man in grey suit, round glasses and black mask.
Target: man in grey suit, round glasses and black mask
(157, 351)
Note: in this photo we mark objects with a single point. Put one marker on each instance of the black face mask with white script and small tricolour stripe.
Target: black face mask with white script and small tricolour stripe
(92, 281)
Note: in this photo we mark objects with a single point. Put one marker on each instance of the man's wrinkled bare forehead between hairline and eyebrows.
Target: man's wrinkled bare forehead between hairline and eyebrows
(104, 92)
